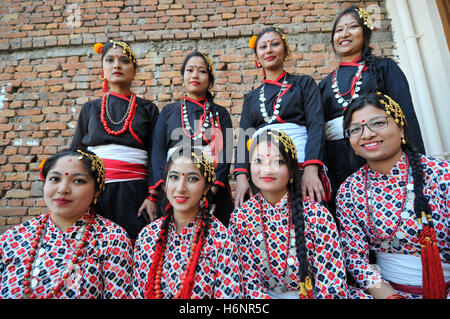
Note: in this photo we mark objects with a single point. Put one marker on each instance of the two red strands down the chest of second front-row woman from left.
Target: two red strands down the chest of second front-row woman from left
(189, 265)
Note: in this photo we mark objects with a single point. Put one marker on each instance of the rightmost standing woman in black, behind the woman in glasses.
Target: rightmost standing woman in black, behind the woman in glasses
(359, 71)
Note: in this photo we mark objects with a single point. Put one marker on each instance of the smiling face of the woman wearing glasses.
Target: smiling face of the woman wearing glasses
(381, 147)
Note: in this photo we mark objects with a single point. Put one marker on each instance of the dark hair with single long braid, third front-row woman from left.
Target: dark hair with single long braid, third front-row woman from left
(294, 195)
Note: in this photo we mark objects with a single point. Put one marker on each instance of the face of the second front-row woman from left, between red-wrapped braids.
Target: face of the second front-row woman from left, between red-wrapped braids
(185, 186)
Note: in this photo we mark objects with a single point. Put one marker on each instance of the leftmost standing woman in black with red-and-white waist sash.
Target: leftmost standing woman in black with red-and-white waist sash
(119, 128)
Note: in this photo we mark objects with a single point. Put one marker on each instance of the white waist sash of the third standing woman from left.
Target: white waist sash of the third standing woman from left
(297, 133)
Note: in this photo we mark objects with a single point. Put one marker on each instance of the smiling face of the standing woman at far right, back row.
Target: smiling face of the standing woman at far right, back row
(348, 38)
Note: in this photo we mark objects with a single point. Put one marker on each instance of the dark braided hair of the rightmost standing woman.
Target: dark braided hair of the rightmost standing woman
(370, 60)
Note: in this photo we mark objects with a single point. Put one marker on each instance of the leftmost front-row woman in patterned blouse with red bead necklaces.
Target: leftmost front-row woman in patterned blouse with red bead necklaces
(69, 252)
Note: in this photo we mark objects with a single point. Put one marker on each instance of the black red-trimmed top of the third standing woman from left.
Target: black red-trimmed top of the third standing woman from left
(300, 105)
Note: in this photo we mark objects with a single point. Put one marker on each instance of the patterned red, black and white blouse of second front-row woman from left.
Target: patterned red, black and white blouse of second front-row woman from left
(217, 273)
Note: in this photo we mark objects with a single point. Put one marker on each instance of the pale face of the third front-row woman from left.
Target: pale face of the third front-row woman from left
(269, 171)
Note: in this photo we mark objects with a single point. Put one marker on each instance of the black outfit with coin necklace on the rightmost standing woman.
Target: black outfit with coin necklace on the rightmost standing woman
(350, 80)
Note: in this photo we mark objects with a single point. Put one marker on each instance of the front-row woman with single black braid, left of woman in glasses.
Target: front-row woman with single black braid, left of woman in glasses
(288, 247)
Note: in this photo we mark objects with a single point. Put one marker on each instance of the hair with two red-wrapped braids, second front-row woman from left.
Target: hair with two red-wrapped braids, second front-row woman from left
(205, 220)
